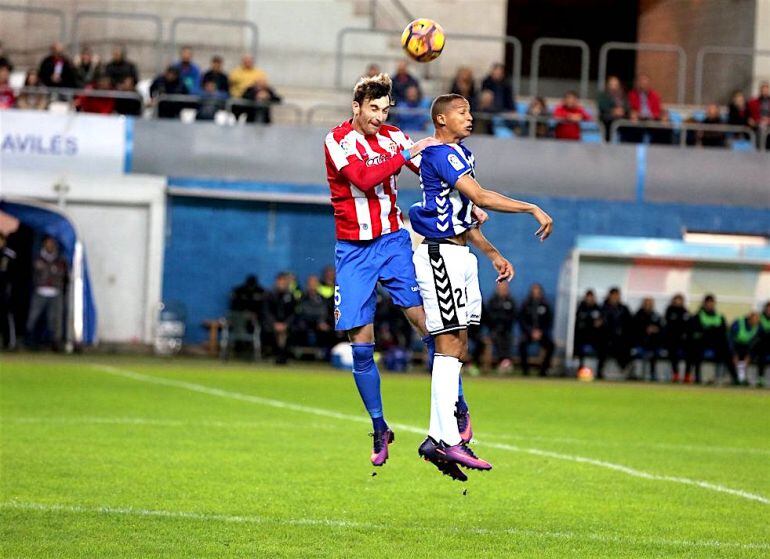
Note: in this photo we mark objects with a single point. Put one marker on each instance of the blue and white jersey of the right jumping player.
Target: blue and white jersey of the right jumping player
(444, 211)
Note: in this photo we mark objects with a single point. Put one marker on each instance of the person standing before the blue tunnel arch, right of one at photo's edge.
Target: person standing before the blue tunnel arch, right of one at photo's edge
(49, 287)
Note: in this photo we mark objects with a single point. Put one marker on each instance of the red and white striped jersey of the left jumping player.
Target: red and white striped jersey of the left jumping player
(362, 173)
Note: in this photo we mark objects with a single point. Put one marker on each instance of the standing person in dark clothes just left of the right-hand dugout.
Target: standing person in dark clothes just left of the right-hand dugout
(535, 321)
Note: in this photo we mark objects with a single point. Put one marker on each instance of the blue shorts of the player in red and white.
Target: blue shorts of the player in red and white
(360, 265)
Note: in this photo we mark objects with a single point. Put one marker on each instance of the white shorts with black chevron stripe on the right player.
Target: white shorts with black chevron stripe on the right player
(448, 277)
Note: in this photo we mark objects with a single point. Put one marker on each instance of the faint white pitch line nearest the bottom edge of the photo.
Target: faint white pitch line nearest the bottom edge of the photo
(338, 523)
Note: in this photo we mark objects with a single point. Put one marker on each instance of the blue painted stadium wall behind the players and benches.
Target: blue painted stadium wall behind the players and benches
(213, 244)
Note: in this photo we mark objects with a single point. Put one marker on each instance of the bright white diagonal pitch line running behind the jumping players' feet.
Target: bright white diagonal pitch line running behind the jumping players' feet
(202, 389)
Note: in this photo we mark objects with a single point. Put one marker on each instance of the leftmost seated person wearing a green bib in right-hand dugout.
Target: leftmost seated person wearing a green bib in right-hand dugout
(708, 339)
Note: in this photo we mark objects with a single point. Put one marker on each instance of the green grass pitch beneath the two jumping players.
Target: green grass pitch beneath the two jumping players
(125, 457)
